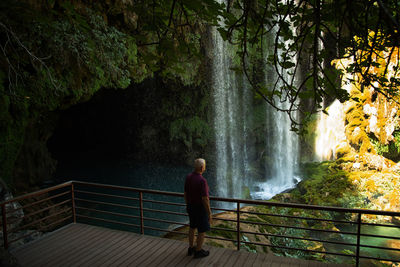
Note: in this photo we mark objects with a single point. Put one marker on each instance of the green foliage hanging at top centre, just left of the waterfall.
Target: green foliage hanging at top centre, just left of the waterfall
(169, 34)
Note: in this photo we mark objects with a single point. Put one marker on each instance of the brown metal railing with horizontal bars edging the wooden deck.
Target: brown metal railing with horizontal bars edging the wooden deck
(236, 210)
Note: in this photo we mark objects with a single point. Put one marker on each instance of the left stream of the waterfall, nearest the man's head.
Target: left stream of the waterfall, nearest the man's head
(232, 102)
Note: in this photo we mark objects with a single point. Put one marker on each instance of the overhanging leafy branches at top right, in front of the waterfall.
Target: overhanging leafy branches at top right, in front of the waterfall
(296, 29)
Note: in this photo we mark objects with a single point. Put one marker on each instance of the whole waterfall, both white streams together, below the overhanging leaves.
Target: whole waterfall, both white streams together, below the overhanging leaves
(242, 166)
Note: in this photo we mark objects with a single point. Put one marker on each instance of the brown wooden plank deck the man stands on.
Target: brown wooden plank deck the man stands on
(85, 245)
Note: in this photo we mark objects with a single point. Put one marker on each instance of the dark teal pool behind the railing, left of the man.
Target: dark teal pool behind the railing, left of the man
(162, 177)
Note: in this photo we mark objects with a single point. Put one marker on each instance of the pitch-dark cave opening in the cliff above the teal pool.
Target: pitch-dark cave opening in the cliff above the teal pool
(115, 128)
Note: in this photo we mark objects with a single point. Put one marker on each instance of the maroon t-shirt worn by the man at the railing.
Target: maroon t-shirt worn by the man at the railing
(196, 187)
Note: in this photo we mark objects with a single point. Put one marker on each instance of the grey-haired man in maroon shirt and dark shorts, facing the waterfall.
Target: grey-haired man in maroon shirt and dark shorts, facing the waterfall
(198, 207)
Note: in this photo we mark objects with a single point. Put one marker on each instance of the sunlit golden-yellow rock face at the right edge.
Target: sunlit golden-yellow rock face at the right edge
(371, 119)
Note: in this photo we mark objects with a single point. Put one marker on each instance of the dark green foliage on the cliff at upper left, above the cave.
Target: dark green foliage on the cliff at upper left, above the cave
(53, 60)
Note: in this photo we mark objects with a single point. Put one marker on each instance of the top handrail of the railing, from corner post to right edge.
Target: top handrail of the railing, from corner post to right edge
(246, 201)
